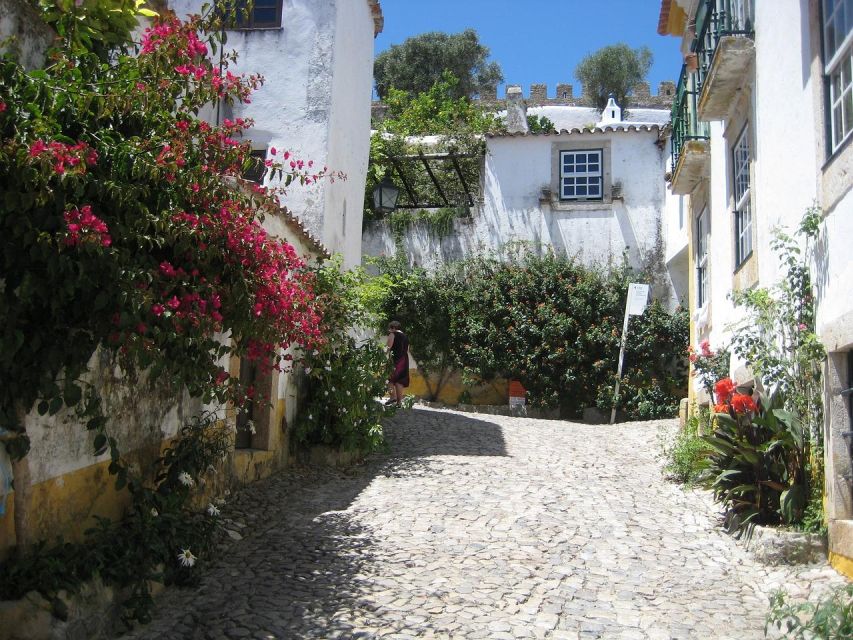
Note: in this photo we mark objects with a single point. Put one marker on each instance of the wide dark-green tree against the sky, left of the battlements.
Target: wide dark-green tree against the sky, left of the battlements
(418, 63)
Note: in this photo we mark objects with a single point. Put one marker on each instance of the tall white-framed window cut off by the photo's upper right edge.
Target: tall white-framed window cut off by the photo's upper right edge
(838, 65)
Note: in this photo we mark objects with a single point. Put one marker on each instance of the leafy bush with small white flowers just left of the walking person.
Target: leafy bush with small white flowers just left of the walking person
(347, 372)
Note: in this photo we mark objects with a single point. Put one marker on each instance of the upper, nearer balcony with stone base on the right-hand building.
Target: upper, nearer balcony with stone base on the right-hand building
(724, 48)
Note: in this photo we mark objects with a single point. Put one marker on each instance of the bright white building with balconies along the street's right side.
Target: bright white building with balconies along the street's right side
(761, 131)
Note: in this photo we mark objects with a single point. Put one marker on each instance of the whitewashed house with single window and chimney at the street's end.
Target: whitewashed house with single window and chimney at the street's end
(594, 191)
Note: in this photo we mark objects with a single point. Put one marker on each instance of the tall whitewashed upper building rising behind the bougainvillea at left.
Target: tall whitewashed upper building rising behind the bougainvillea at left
(317, 60)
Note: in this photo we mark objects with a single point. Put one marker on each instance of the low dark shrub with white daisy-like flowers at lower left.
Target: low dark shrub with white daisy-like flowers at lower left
(162, 539)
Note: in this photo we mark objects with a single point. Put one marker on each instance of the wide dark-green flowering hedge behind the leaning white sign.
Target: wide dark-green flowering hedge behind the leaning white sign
(547, 321)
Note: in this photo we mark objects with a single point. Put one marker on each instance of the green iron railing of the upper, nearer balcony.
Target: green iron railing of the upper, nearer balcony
(714, 20)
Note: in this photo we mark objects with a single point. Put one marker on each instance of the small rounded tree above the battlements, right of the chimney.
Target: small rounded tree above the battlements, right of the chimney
(613, 69)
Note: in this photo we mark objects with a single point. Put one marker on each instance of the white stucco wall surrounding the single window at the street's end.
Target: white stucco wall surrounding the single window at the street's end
(516, 169)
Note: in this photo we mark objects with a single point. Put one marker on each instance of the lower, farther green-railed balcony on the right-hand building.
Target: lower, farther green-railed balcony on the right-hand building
(690, 137)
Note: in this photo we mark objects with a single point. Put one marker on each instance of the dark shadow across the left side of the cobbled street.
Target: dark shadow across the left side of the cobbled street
(304, 568)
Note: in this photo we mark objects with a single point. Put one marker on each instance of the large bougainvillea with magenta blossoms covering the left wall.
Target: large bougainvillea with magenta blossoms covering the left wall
(124, 224)
